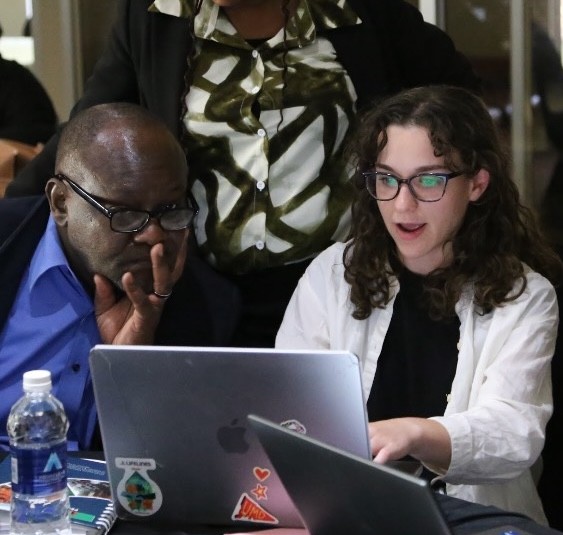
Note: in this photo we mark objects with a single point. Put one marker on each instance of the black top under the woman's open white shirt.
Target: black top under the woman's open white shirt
(418, 360)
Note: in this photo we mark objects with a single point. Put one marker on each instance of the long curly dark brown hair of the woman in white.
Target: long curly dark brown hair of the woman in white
(497, 235)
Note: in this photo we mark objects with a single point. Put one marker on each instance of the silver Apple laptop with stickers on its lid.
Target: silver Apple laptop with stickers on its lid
(176, 439)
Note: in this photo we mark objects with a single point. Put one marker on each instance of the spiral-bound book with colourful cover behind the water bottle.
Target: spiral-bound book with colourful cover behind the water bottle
(91, 506)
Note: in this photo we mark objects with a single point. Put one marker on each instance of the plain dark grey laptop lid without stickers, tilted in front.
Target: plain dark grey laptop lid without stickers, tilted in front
(338, 493)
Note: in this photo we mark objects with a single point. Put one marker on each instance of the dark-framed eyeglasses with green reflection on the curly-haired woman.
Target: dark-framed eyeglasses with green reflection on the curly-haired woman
(426, 187)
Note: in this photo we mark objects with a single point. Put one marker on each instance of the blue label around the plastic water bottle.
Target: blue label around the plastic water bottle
(39, 471)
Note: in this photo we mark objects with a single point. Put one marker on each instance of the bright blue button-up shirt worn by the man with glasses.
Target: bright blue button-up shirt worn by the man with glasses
(51, 326)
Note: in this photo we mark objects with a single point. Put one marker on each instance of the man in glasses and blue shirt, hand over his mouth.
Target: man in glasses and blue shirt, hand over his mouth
(96, 260)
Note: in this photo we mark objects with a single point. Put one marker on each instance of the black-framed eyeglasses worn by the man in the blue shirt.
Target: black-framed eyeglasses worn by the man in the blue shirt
(170, 217)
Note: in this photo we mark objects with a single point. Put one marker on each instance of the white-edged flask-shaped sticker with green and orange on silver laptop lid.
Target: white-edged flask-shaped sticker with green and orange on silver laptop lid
(137, 492)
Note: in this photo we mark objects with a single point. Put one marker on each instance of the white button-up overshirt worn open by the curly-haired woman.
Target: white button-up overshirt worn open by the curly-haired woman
(500, 400)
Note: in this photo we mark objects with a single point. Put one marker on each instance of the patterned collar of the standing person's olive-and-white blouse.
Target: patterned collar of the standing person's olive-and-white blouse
(309, 17)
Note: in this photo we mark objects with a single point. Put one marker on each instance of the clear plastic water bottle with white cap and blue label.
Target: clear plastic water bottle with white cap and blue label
(37, 427)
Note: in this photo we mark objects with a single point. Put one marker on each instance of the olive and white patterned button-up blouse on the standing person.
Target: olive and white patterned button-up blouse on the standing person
(266, 127)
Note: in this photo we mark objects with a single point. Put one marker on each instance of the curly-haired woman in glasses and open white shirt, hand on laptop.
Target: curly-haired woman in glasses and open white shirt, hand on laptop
(444, 293)
